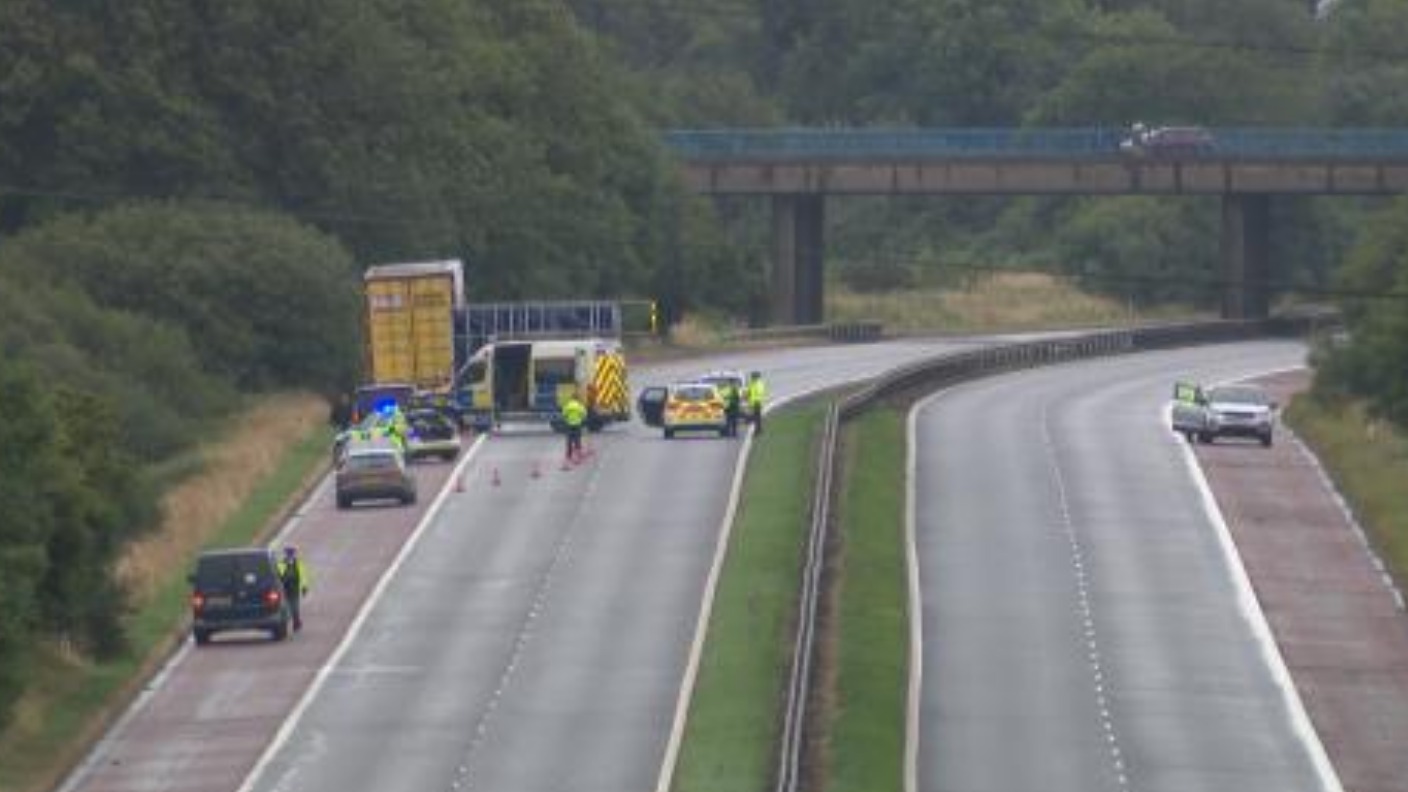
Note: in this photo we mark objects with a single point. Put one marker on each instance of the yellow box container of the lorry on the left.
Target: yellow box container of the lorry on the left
(409, 323)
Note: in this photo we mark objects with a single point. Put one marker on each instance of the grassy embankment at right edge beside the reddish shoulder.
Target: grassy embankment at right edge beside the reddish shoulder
(1369, 463)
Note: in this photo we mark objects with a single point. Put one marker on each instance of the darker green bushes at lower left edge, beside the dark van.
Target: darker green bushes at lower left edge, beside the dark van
(73, 497)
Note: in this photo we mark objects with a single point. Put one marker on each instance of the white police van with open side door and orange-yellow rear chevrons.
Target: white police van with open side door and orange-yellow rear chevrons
(529, 381)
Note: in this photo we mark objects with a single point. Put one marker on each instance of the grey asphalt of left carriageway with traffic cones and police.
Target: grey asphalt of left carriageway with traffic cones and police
(537, 638)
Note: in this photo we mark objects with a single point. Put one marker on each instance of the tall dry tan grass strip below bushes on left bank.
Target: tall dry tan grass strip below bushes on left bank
(232, 467)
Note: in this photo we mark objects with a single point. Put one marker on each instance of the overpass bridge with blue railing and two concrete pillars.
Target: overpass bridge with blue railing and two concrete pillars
(799, 168)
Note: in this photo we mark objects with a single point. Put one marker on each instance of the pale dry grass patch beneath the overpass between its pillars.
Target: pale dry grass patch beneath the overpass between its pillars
(1003, 301)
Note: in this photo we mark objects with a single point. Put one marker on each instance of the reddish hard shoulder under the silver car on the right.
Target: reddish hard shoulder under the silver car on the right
(1340, 626)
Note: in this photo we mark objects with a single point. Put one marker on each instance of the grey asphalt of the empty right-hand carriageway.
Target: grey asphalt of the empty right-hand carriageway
(1083, 629)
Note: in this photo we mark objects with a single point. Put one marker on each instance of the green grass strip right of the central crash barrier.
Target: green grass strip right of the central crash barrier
(865, 660)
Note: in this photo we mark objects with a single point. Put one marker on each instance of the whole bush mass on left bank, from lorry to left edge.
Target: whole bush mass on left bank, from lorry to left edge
(125, 338)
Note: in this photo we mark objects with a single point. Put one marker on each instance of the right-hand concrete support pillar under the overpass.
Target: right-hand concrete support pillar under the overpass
(1247, 237)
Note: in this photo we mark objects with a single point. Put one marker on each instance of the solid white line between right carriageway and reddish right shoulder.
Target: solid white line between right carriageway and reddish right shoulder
(1254, 615)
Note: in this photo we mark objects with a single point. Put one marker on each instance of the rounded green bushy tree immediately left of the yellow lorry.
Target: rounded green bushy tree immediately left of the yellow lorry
(264, 301)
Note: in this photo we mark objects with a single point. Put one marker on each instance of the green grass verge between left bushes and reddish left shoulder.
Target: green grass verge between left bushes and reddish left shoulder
(71, 701)
